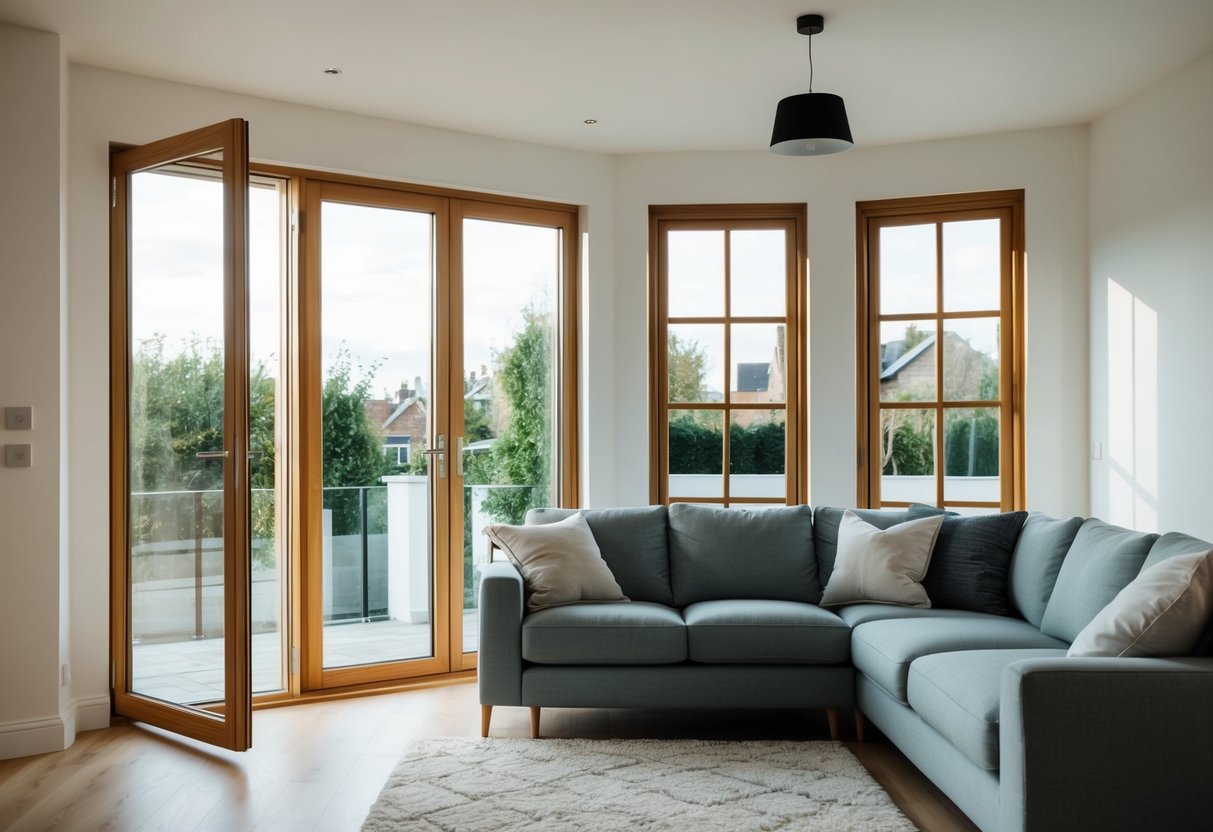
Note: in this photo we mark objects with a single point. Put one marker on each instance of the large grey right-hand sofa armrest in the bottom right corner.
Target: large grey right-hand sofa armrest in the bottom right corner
(1106, 744)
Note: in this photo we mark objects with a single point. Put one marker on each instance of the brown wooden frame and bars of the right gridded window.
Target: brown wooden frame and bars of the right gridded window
(872, 216)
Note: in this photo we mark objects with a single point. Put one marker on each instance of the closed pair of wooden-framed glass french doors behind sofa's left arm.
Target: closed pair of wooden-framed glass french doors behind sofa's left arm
(437, 367)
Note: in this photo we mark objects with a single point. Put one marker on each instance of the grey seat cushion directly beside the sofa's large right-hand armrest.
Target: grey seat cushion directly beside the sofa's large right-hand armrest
(959, 693)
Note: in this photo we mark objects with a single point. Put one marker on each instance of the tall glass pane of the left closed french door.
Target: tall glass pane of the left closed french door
(377, 272)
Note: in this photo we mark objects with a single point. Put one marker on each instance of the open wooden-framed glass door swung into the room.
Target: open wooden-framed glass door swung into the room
(180, 495)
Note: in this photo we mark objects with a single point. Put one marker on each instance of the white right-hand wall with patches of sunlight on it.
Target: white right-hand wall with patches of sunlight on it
(1152, 304)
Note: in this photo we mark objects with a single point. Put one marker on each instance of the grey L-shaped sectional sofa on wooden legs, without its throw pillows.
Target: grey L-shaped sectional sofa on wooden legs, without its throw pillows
(725, 614)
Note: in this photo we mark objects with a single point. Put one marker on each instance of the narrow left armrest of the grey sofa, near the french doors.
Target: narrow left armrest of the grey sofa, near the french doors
(500, 664)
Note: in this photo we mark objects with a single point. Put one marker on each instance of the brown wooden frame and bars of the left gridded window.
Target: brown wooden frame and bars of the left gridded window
(791, 218)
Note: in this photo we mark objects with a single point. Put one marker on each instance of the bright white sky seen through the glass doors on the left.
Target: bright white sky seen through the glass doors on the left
(377, 267)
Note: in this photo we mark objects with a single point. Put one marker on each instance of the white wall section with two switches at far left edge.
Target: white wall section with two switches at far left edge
(30, 375)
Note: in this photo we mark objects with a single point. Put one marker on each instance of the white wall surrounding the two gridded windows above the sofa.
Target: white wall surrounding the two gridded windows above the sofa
(1051, 166)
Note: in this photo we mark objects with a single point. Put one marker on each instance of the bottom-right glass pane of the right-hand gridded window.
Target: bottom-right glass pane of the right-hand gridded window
(971, 453)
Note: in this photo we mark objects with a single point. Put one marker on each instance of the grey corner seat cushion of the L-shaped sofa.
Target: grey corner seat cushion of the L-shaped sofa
(884, 651)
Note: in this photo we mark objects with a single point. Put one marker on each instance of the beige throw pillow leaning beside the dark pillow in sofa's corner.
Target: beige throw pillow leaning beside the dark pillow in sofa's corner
(882, 566)
